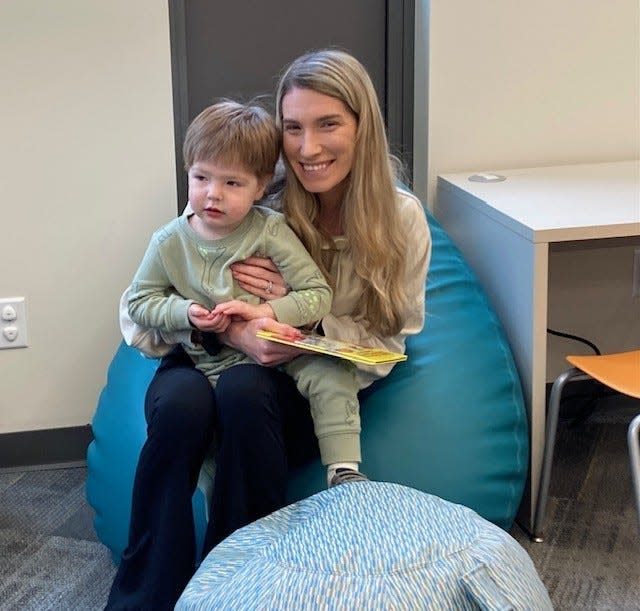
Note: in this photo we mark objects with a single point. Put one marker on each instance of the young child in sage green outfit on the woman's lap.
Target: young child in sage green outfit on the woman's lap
(185, 281)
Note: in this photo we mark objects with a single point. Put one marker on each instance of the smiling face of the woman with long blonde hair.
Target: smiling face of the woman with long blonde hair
(319, 134)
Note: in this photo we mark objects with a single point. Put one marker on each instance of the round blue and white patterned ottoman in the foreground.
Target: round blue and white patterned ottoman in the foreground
(368, 545)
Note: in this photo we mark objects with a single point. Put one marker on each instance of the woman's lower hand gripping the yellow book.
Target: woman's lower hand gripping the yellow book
(241, 335)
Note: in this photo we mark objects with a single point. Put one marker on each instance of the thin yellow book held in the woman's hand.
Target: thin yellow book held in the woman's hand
(334, 347)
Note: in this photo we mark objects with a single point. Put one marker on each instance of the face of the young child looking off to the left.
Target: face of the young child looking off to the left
(221, 195)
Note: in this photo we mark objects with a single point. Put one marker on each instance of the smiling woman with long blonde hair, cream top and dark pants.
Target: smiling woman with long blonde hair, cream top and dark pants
(373, 245)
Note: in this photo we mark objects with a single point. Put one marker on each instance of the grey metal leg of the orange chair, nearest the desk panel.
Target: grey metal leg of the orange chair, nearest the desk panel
(549, 447)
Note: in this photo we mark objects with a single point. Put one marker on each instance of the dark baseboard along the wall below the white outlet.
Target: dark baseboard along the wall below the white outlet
(45, 448)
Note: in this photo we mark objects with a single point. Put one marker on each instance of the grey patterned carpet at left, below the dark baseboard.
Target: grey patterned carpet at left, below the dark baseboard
(49, 555)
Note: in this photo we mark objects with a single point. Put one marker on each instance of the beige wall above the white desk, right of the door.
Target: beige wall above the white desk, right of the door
(522, 84)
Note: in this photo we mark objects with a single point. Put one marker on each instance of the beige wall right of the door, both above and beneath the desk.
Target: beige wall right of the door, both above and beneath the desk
(524, 84)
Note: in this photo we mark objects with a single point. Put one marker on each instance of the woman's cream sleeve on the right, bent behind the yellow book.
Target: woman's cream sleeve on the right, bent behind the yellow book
(348, 329)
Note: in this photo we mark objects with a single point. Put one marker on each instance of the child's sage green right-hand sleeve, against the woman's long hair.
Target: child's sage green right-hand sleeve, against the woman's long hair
(310, 296)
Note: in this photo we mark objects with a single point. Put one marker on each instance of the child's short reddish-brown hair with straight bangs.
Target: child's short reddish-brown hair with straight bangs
(232, 132)
